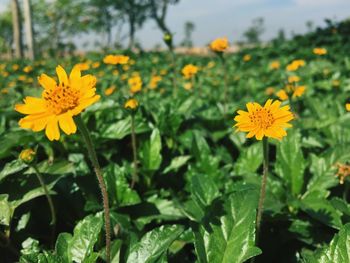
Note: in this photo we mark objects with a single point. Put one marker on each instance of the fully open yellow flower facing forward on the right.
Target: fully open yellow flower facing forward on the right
(268, 121)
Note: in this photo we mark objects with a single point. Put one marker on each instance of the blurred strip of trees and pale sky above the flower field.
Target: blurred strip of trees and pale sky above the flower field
(85, 25)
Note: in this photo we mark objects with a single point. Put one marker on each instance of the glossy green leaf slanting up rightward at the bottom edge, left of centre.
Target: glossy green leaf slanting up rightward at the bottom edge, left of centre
(154, 244)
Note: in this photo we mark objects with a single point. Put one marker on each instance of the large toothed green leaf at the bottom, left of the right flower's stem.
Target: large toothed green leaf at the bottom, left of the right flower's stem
(229, 236)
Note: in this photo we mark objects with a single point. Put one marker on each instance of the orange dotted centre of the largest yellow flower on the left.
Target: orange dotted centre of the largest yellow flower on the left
(61, 99)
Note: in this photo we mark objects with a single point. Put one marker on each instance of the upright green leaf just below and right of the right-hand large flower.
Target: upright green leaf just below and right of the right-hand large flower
(290, 163)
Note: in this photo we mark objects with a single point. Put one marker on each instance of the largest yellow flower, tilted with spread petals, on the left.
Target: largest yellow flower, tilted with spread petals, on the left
(58, 103)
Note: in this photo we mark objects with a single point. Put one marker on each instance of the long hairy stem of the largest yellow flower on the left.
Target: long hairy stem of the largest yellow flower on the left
(93, 157)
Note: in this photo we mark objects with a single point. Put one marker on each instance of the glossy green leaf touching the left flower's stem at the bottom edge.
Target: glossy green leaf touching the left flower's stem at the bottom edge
(85, 236)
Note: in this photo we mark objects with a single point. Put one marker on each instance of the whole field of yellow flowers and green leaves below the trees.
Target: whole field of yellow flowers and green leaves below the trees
(161, 157)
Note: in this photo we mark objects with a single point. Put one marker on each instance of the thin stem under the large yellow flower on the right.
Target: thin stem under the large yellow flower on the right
(263, 187)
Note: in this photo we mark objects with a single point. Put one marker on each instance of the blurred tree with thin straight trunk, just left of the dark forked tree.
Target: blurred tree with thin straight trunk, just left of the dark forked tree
(135, 13)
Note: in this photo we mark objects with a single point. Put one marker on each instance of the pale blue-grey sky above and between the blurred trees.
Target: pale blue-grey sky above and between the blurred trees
(230, 18)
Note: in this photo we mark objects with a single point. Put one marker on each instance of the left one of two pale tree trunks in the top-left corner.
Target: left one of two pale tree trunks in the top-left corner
(17, 32)
